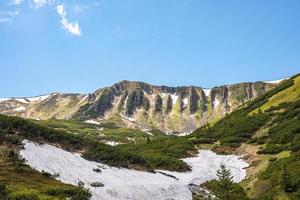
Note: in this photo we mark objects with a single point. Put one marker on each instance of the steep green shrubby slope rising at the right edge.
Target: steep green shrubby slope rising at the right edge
(272, 123)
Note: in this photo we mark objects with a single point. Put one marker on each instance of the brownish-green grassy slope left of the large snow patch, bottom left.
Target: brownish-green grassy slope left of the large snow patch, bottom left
(21, 180)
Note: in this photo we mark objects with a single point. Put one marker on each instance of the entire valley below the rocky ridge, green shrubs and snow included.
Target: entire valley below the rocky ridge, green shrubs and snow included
(264, 130)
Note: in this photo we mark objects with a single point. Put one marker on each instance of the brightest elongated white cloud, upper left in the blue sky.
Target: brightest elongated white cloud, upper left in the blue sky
(71, 27)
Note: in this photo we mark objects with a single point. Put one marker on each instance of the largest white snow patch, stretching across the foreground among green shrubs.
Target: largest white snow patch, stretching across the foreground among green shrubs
(120, 183)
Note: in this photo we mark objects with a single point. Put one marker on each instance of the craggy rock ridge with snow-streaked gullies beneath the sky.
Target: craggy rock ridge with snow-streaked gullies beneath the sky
(140, 105)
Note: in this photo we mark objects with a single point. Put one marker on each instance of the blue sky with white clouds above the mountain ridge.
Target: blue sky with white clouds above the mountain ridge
(82, 45)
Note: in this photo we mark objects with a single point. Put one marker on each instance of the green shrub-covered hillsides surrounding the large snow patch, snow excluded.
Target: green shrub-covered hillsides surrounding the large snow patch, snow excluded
(266, 130)
